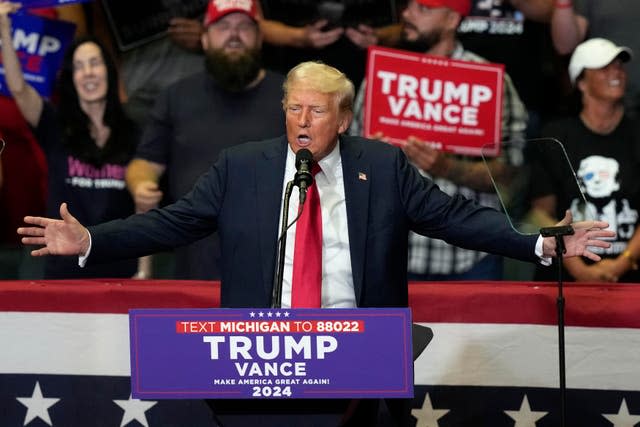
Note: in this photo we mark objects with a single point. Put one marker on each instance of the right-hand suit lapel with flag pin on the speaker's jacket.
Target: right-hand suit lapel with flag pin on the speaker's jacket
(356, 170)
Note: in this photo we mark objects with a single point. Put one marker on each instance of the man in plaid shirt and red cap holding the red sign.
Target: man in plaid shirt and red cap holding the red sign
(430, 26)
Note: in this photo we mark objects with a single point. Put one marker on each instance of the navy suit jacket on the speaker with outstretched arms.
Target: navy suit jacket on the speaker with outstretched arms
(240, 197)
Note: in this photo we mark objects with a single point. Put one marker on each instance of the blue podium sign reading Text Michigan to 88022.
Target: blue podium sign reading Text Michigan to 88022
(271, 353)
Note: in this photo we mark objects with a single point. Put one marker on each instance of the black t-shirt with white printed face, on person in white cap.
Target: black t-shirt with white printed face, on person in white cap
(607, 168)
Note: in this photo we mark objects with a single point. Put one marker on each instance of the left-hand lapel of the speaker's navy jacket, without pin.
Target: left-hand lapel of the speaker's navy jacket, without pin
(269, 177)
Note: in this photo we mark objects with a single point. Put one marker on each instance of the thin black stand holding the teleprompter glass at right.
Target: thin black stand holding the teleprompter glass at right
(558, 232)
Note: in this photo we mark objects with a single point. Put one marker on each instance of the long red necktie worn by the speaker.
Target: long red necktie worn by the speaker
(306, 282)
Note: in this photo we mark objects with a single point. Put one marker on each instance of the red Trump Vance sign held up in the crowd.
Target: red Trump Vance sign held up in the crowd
(455, 106)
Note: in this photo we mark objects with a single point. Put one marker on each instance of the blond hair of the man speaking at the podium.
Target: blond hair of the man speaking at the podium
(318, 76)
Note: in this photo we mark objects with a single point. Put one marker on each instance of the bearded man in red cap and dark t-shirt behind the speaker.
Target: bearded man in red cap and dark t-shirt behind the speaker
(197, 117)
